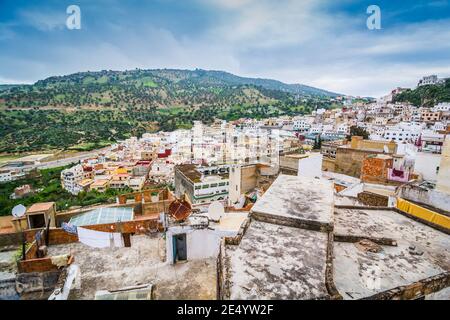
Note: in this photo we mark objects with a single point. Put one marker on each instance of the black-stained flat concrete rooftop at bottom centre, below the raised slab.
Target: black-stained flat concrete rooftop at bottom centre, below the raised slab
(277, 262)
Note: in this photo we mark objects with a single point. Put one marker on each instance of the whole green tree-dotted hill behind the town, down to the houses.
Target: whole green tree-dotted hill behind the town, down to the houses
(90, 109)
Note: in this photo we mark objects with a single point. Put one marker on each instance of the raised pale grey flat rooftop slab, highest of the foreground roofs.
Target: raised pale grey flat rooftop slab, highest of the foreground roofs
(296, 197)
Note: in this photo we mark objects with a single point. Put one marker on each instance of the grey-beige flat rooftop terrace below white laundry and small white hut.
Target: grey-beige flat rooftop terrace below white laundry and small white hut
(142, 263)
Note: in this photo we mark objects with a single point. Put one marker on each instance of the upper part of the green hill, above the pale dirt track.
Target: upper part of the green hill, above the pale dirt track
(153, 88)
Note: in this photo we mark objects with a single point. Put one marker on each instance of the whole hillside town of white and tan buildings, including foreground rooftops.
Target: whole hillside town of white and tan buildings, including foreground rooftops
(365, 189)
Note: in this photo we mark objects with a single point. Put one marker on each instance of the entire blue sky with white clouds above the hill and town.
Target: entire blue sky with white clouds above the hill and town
(321, 43)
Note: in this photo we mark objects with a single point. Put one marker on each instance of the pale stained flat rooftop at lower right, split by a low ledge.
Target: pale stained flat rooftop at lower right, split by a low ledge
(421, 252)
